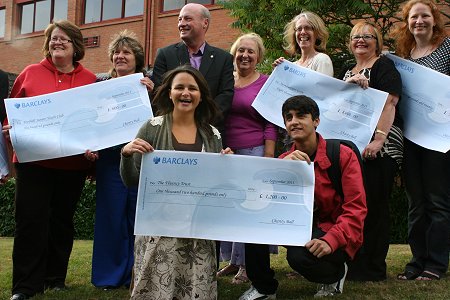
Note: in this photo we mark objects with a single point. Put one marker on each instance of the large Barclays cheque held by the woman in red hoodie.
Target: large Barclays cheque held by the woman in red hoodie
(69, 122)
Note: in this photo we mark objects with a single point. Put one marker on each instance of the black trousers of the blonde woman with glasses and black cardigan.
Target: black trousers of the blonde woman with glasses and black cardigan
(369, 263)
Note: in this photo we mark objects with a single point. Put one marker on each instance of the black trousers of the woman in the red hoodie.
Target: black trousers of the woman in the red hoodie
(44, 207)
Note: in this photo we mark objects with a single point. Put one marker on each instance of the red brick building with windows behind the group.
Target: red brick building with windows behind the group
(154, 21)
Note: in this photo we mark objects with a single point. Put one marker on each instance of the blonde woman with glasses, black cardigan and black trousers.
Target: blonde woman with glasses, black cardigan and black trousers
(383, 155)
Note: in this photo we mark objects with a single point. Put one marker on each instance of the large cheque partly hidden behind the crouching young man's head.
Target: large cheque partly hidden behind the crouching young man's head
(346, 110)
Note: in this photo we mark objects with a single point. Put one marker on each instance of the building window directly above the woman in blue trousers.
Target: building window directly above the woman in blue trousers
(102, 10)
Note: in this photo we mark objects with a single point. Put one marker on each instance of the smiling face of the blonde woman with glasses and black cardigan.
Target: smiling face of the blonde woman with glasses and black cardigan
(363, 42)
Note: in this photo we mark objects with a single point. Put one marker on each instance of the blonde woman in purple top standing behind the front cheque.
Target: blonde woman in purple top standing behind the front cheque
(246, 131)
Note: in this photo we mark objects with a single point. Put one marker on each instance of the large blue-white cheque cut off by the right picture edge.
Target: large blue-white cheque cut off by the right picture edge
(425, 105)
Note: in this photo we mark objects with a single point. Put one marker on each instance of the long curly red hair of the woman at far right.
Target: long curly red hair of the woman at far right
(405, 41)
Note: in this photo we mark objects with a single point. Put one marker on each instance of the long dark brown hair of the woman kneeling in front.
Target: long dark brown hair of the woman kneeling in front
(206, 112)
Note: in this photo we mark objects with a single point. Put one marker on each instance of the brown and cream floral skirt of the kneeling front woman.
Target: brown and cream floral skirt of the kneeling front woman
(174, 268)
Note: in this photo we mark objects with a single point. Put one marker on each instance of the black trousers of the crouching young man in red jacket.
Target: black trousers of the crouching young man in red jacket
(328, 269)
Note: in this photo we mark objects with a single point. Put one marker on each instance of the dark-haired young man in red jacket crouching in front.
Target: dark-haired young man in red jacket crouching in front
(337, 222)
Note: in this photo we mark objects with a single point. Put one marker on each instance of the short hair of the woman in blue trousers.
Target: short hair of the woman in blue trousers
(127, 39)
